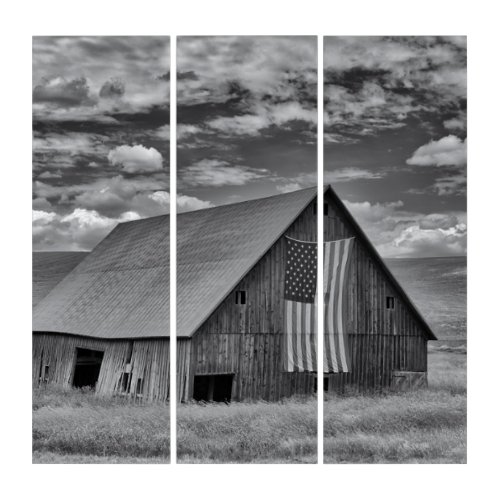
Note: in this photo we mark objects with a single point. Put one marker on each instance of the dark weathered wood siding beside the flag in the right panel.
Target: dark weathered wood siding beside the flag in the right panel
(381, 340)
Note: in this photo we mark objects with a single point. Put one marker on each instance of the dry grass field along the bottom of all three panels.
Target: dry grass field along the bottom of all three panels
(424, 426)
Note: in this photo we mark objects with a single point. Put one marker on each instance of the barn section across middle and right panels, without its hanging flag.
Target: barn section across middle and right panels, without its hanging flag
(230, 305)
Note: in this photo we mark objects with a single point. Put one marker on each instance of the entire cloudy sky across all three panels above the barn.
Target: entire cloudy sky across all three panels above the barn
(395, 132)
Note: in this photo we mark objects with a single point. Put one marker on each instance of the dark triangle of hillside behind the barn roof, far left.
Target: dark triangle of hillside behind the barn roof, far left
(49, 268)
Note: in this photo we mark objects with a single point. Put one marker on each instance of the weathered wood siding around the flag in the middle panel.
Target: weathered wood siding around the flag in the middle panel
(247, 340)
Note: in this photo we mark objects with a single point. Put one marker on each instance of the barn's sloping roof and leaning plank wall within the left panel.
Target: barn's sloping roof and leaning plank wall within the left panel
(105, 324)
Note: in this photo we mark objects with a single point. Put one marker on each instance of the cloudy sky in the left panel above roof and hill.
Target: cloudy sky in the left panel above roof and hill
(100, 136)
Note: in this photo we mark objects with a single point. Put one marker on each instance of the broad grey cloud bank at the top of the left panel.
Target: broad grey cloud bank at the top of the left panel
(138, 61)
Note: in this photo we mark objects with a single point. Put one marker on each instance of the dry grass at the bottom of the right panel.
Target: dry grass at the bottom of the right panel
(424, 426)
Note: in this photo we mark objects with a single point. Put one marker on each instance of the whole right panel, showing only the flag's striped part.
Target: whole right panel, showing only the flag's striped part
(395, 155)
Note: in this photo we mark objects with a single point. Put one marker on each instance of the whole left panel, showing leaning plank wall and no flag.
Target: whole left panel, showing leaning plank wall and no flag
(100, 249)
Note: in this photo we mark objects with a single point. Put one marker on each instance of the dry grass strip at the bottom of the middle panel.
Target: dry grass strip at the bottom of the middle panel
(259, 432)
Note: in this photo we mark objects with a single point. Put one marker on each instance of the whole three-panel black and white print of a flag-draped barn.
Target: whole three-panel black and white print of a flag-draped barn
(384, 282)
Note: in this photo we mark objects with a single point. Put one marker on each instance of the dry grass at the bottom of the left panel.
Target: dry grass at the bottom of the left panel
(74, 426)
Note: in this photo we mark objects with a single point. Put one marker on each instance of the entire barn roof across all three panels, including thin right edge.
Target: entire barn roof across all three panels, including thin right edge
(121, 289)
